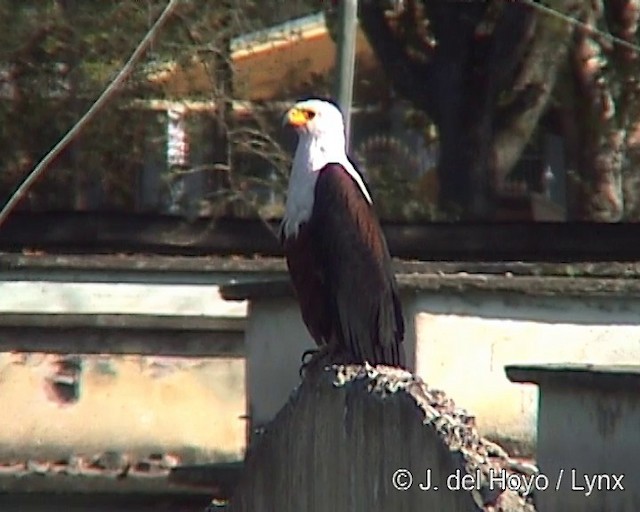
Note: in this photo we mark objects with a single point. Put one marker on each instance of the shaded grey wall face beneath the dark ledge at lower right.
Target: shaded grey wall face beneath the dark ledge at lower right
(593, 439)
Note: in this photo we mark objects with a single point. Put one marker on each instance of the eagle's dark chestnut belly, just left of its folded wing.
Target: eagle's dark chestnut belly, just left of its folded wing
(308, 283)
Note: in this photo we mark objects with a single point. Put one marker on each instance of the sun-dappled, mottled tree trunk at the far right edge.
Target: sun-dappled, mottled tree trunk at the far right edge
(605, 99)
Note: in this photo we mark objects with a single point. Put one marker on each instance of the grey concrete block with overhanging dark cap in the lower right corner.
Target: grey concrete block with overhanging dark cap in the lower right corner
(588, 437)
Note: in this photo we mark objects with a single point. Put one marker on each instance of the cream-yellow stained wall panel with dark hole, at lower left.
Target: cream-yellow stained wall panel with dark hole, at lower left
(191, 408)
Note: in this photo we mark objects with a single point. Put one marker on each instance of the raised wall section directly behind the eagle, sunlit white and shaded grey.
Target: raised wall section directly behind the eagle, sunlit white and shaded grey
(460, 343)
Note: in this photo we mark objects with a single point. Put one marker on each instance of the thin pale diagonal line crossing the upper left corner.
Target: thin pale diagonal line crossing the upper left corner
(107, 94)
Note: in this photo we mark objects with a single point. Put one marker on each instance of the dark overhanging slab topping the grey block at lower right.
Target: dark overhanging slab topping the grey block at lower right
(601, 377)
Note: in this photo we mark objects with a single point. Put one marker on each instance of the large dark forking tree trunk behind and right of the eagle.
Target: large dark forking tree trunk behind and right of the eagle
(484, 72)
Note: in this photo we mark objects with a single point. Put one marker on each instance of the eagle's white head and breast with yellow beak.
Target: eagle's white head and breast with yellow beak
(321, 140)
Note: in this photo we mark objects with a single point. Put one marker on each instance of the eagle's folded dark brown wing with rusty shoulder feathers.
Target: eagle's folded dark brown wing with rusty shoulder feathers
(362, 297)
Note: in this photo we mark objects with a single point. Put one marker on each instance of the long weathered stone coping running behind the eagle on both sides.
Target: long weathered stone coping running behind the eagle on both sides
(266, 277)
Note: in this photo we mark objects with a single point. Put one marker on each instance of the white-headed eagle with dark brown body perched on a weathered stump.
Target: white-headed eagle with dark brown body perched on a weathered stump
(336, 253)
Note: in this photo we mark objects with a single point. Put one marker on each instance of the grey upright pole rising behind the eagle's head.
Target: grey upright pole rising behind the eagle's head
(346, 58)
